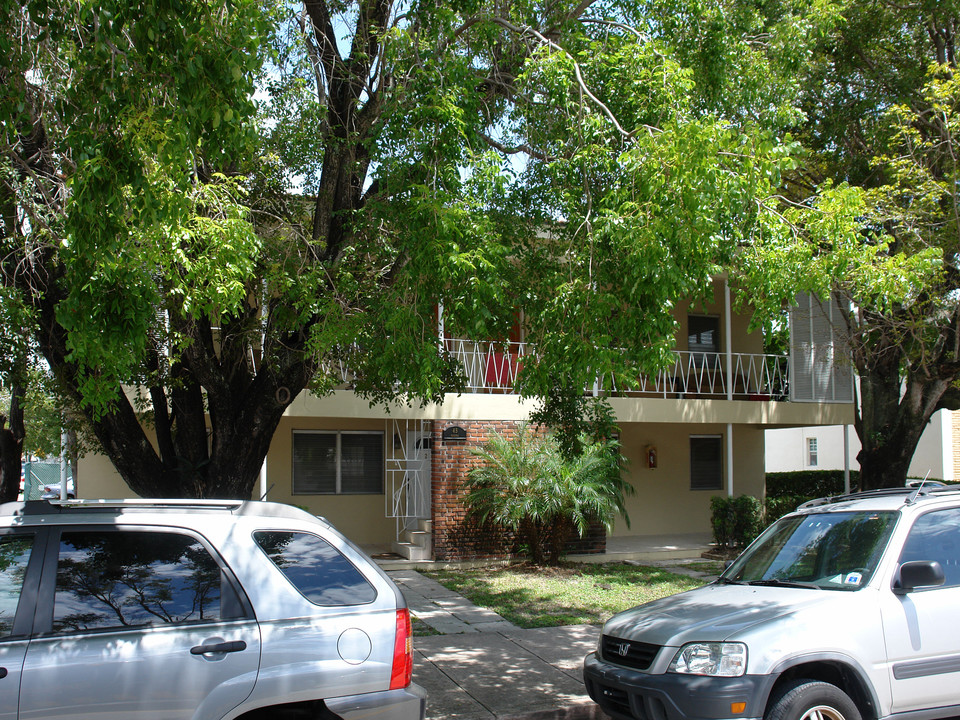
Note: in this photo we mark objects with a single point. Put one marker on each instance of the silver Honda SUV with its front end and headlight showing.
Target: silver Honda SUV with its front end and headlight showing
(847, 609)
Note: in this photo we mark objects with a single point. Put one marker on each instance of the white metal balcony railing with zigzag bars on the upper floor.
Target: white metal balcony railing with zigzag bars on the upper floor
(493, 367)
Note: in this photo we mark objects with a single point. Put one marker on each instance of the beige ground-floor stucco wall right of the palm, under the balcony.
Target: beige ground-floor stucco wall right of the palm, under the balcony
(664, 502)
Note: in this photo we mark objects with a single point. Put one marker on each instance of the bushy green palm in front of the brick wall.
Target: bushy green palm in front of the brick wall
(526, 484)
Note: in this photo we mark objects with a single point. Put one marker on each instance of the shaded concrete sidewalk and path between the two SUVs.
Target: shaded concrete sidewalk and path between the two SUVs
(482, 667)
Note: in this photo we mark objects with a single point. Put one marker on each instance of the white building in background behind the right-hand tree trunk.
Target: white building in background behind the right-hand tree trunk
(822, 448)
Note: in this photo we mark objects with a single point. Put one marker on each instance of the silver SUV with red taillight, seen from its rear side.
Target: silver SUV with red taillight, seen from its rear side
(195, 609)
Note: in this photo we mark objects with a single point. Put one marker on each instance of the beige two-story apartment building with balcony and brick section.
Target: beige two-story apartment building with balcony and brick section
(690, 432)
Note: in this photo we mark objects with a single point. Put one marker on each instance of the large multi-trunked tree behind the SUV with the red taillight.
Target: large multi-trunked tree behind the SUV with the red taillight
(188, 260)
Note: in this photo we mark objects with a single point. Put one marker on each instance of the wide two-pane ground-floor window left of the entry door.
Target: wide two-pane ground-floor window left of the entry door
(337, 462)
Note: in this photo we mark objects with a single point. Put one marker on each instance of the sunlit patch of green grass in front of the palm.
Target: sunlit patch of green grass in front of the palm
(530, 596)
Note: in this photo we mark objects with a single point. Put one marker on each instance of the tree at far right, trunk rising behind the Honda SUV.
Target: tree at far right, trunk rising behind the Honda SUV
(874, 211)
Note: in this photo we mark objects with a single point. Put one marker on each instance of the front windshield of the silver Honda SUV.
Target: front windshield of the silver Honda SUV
(832, 551)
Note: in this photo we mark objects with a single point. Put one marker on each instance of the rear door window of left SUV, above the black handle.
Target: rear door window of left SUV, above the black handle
(133, 578)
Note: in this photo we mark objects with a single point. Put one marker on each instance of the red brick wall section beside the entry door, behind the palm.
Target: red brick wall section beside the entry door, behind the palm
(457, 536)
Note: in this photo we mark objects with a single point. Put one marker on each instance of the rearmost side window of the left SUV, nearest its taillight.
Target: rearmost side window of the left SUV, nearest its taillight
(316, 568)
